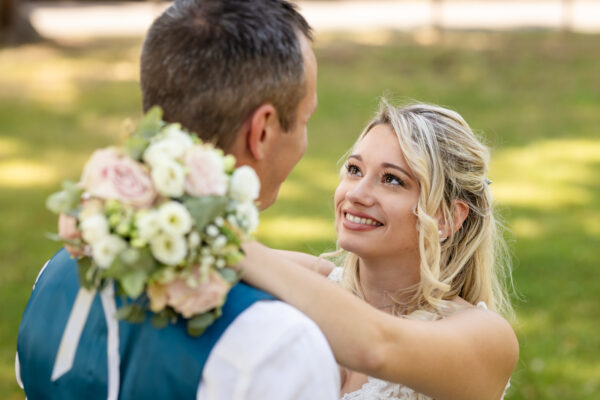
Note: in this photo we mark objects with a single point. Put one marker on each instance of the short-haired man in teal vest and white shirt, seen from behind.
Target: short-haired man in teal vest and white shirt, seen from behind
(240, 73)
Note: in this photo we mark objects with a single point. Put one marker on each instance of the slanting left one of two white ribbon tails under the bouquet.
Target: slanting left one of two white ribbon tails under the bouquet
(72, 334)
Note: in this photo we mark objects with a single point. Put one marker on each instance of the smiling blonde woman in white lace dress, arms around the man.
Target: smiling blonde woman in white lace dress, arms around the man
(418, 313)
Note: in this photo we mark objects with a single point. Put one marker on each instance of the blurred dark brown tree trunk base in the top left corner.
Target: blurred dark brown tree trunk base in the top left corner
(15, 27)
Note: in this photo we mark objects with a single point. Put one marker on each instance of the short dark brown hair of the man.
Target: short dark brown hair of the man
(211, 63)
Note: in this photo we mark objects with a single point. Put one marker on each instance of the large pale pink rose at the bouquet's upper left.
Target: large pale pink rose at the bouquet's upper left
(111, 175)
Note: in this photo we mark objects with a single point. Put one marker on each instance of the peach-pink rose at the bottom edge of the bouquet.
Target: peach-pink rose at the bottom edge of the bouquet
(186, 300)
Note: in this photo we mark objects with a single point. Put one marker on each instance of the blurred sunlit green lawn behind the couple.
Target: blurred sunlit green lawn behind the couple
(534, 96)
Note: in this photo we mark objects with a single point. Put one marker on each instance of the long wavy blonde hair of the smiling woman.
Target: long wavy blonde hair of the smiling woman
(450, 164)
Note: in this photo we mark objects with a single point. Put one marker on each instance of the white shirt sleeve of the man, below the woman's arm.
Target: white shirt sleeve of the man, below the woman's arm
(271, 351)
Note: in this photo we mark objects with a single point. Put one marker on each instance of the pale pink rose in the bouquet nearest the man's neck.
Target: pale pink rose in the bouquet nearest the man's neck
(206, 176)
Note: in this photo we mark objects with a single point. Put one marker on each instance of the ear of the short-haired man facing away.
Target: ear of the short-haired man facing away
(263, 131)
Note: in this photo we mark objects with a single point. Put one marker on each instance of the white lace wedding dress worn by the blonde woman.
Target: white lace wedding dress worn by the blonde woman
(377, 389)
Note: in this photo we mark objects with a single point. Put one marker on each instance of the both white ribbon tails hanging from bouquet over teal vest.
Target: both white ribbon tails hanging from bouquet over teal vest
(72, 335)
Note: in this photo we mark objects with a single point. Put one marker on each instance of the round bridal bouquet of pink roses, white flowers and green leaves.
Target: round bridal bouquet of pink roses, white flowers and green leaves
(163, 217)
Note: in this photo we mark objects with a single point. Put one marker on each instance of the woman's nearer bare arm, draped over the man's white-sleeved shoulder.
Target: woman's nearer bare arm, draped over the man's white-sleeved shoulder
(469, 355)
